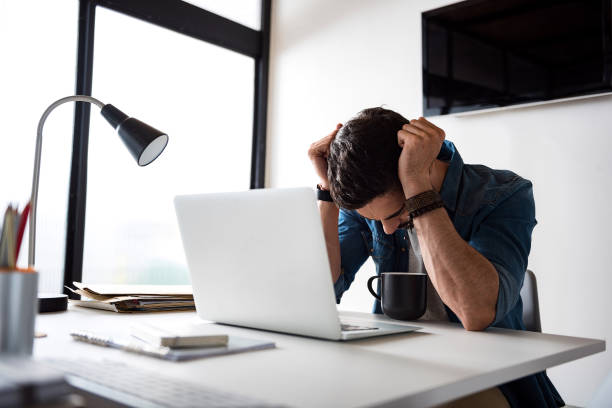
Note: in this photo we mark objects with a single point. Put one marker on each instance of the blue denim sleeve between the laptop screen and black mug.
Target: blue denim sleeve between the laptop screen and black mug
(353, 251)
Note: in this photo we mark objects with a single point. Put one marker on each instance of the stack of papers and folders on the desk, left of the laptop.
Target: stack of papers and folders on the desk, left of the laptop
(134, 298)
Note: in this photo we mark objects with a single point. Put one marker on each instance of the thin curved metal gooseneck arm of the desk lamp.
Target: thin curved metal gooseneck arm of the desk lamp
(34, 197)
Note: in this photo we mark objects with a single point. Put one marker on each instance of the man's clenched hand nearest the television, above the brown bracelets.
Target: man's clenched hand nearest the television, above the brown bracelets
(421, 142)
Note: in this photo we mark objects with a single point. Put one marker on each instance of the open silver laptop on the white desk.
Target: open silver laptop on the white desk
(258, 259)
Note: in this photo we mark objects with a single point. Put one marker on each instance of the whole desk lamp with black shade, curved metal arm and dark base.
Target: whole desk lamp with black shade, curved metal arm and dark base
(144, 143)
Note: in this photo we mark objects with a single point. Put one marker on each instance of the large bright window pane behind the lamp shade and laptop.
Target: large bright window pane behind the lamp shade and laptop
(201, 95)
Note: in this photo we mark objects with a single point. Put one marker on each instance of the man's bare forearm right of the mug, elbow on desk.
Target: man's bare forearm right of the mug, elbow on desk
(465, 280)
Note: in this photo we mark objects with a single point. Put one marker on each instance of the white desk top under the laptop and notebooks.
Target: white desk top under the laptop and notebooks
(439, 363)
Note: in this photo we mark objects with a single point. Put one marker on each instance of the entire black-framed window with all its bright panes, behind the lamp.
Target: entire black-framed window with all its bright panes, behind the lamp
(199, 76)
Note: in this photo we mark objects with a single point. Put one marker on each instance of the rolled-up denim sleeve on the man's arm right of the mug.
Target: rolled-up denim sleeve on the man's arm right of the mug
(504, 238)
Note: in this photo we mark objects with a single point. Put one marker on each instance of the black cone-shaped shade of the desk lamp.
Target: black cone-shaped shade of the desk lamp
(144, 142)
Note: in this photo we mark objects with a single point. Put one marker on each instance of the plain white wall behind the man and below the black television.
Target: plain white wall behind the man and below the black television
(331, 59)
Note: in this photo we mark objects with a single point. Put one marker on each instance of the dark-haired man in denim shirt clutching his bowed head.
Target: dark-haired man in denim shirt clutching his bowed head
(395, 190)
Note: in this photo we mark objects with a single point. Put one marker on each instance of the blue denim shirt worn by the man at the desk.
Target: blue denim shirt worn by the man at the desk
(493, 211)
